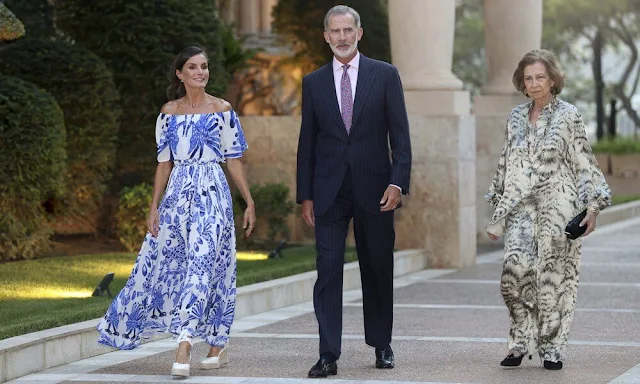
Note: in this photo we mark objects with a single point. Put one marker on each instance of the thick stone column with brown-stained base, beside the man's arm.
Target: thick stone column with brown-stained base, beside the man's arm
(439, 215)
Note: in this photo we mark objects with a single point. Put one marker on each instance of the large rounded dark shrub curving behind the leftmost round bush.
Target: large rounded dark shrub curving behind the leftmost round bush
(84, 89)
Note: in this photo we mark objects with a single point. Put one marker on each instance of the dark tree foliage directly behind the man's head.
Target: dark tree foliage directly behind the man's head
(299, 23)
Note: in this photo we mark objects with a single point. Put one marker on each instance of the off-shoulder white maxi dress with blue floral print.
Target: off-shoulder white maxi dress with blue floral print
(184, 281)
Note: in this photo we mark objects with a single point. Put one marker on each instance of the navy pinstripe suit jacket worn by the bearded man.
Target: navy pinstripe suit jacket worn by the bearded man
(377, 150)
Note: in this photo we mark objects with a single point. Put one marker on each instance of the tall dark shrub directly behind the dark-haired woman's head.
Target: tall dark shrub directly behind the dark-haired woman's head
(138, 41)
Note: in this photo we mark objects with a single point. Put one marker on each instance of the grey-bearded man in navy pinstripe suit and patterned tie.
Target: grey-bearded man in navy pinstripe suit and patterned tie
(353, 113)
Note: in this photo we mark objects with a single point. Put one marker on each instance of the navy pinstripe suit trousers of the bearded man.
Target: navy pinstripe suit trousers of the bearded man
(375, 238)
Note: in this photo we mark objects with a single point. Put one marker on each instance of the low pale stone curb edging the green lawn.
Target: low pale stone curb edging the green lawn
(37, 351)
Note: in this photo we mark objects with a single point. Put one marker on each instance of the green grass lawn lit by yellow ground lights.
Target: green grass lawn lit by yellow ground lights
(46, 293)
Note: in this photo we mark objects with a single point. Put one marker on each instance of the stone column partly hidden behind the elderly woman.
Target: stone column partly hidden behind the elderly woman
(512, 28)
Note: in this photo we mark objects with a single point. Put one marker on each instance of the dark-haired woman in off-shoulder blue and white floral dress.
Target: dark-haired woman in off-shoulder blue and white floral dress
(184, 279)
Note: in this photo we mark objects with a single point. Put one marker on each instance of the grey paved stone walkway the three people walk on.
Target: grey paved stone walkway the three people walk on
(450, 327)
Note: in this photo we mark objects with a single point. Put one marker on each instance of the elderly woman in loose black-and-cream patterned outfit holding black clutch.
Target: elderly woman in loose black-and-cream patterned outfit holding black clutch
(546, 176)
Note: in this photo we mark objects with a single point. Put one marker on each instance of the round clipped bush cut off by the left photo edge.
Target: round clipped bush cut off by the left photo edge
(32, 138)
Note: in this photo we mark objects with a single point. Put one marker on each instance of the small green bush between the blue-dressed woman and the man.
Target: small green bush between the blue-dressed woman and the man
(273, 206)
